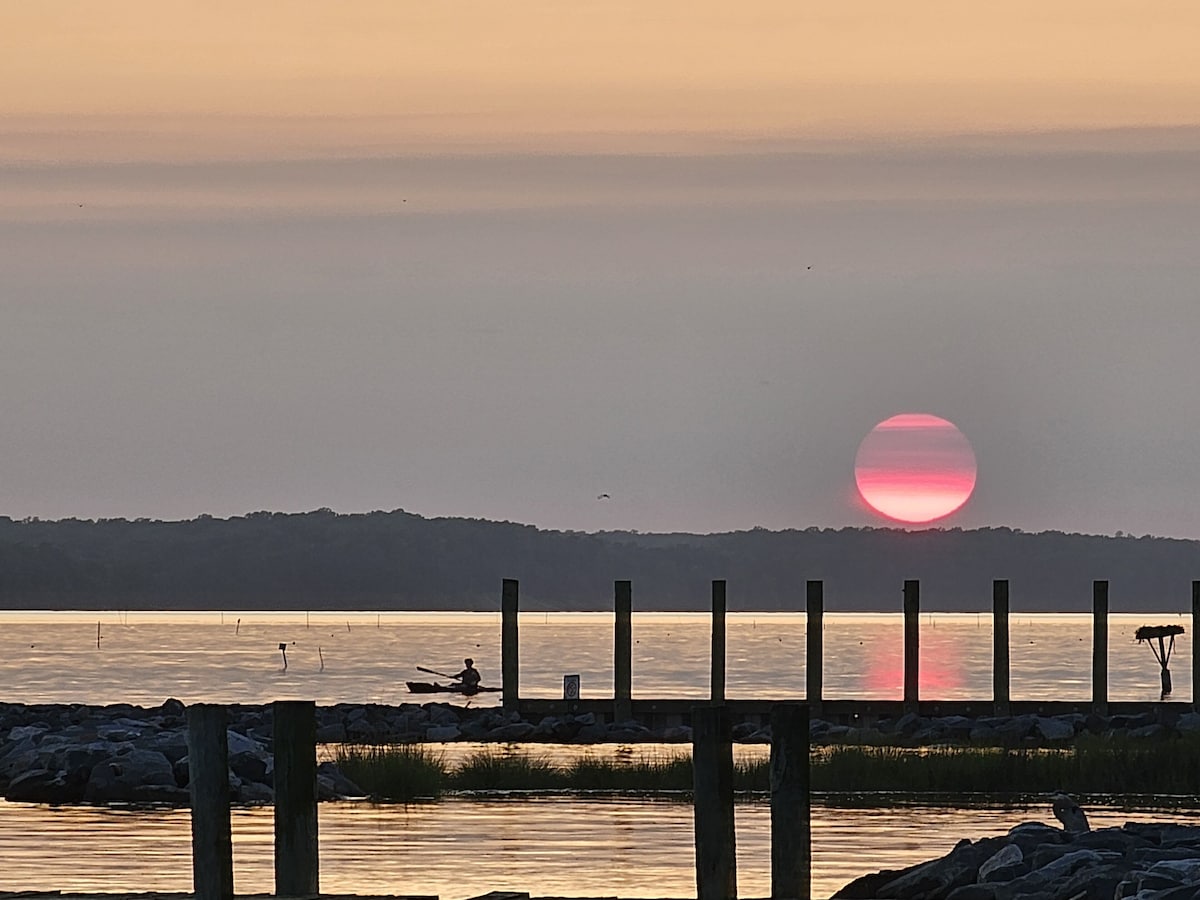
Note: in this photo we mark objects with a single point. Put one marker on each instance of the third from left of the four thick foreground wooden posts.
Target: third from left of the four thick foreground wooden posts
(712, 764)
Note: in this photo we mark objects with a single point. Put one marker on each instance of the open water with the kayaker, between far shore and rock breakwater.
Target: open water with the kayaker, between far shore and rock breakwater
(145, 658)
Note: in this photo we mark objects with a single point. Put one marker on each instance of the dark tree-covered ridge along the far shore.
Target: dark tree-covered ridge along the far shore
(401, 561)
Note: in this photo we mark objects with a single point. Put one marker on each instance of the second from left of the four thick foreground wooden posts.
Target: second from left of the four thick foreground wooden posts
(297, 862)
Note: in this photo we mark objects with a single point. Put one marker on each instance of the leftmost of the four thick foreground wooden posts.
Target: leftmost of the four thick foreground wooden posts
(208, 764)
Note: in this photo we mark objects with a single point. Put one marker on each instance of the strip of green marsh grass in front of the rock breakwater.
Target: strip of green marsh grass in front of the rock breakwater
(1093, 767)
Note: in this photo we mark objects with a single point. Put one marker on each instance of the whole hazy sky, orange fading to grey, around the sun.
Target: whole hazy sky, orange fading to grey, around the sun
(501, 260)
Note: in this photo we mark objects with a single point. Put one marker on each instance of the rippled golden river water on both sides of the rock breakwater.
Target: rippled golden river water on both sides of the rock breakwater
(567, 847)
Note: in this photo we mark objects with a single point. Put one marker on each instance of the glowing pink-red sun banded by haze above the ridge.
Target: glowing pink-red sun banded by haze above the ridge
(915, 469)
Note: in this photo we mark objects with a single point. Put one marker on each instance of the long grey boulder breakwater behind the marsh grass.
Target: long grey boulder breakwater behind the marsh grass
(128, 754)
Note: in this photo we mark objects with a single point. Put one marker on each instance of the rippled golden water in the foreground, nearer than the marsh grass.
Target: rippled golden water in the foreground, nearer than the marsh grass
(459, 848)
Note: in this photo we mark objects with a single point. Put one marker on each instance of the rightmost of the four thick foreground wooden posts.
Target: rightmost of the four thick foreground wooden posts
(791, 845)
